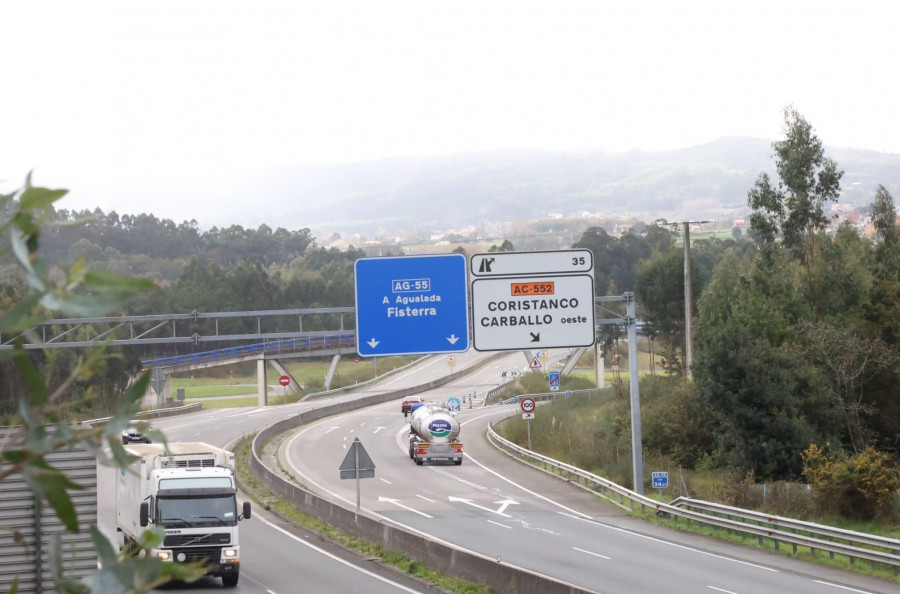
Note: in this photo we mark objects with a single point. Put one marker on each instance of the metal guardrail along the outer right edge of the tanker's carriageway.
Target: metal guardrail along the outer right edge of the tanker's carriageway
(817, 537)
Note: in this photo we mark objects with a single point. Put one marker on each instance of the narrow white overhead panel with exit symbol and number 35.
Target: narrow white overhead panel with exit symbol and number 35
(519, 263)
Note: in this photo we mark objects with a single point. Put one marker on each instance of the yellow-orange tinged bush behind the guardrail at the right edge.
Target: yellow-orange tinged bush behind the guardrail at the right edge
(861, 486)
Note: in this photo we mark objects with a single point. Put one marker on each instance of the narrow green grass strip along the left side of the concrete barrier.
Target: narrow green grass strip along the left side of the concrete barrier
(270, 502)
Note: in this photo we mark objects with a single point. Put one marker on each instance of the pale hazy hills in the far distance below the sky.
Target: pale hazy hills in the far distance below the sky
(416, 195)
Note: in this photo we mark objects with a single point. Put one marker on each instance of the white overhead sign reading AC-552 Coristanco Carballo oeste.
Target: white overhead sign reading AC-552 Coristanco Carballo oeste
(534, 312)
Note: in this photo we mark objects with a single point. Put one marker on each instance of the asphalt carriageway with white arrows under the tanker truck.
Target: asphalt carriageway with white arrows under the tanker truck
(497, 507)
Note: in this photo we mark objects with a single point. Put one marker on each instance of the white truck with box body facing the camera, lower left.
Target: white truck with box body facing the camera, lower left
(188, 489)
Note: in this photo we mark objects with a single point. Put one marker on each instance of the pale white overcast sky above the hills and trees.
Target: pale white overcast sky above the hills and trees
(175, 107)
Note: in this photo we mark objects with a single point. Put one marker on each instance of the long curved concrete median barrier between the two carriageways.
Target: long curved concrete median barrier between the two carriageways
(441, 556)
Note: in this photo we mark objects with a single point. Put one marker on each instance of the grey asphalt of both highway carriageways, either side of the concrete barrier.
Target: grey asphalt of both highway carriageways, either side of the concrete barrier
(490, 504)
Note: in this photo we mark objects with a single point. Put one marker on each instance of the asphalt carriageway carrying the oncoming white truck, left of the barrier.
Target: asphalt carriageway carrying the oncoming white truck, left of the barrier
(277, 558)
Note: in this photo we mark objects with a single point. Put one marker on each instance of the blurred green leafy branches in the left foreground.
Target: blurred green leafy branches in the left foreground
(41, 425)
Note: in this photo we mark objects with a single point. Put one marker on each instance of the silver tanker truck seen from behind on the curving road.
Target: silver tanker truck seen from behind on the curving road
(434, 435)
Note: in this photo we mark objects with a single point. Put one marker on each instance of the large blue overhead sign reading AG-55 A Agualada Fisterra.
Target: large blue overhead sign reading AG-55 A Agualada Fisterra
(411, 305)
